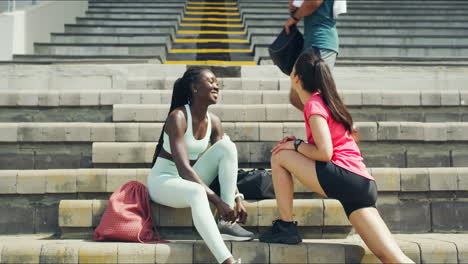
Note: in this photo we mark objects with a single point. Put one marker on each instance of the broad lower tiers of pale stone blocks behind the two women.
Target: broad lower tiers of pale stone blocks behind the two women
(72, 134)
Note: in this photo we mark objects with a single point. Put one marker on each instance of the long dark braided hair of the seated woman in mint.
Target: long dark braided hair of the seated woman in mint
(181, 95)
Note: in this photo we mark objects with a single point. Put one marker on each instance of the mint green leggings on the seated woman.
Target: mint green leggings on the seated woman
(166, 187)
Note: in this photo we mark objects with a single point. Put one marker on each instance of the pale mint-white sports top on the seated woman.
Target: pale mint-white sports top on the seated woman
(194, 146)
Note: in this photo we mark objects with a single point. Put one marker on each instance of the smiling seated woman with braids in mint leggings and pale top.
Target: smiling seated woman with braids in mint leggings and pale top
(183, 167)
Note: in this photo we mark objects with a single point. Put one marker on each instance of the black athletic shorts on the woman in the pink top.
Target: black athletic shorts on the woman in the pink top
(352, 190)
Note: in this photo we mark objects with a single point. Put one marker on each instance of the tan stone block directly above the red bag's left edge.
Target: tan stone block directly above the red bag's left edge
(91, 180)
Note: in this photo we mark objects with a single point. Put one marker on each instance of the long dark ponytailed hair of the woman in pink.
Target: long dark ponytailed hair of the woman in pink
(316, 76)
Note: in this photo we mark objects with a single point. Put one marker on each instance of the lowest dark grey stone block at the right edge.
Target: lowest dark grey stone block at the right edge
(449, 216)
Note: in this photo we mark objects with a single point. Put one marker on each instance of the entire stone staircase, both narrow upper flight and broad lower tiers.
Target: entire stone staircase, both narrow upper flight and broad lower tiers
(71, 134)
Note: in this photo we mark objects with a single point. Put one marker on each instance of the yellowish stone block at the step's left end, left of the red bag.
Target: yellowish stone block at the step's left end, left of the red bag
(76, 213)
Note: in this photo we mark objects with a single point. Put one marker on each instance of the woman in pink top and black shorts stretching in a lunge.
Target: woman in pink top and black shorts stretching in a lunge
(329, 163)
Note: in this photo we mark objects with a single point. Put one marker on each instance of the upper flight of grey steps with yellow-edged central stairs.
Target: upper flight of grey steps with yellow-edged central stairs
(373, 32)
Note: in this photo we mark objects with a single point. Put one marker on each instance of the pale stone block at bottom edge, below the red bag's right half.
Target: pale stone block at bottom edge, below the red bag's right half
(136, 253)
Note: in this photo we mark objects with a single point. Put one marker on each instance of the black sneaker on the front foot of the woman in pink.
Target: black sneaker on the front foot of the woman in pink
(282, 232)
